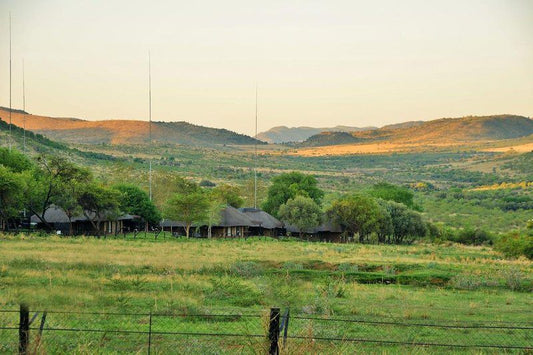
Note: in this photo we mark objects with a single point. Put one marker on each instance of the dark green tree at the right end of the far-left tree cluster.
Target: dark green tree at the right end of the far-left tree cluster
(135, 201)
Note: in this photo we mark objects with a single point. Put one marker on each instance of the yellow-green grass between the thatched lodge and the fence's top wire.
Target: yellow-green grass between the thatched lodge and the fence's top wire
(197, 276)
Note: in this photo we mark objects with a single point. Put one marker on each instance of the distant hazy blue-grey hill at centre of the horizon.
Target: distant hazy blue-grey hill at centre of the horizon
(283, 134)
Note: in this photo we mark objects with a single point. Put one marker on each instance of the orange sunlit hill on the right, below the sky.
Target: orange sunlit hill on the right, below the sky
(443, 131)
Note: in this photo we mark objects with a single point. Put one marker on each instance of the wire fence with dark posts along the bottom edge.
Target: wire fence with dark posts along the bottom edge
(272, 331)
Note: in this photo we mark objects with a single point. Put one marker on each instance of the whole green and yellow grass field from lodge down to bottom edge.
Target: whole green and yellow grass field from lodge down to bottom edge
(446, 284)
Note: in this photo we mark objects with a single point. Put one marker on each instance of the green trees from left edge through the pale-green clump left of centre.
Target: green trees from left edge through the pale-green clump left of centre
(35, 186)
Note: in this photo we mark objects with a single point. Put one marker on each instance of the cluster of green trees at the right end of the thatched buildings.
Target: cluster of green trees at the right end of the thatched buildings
(386, 214)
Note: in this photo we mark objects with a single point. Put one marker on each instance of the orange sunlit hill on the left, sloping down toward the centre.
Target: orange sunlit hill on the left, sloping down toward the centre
(73, 130)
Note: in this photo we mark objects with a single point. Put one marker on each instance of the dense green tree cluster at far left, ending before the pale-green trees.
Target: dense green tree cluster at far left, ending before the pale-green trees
(34, 186)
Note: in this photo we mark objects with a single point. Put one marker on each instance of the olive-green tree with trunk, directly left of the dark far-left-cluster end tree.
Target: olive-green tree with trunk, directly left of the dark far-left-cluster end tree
(99, 202)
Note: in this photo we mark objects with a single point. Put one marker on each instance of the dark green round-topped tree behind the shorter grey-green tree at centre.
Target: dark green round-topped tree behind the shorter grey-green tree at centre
(287, 186)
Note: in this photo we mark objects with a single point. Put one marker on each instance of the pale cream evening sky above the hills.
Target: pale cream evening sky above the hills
(315, 63)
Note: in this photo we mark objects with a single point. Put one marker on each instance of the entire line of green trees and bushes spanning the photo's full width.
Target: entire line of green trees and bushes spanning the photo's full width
(385, 213)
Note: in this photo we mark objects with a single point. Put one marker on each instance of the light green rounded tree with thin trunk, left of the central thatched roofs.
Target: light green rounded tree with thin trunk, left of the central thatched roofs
(188, 208)
